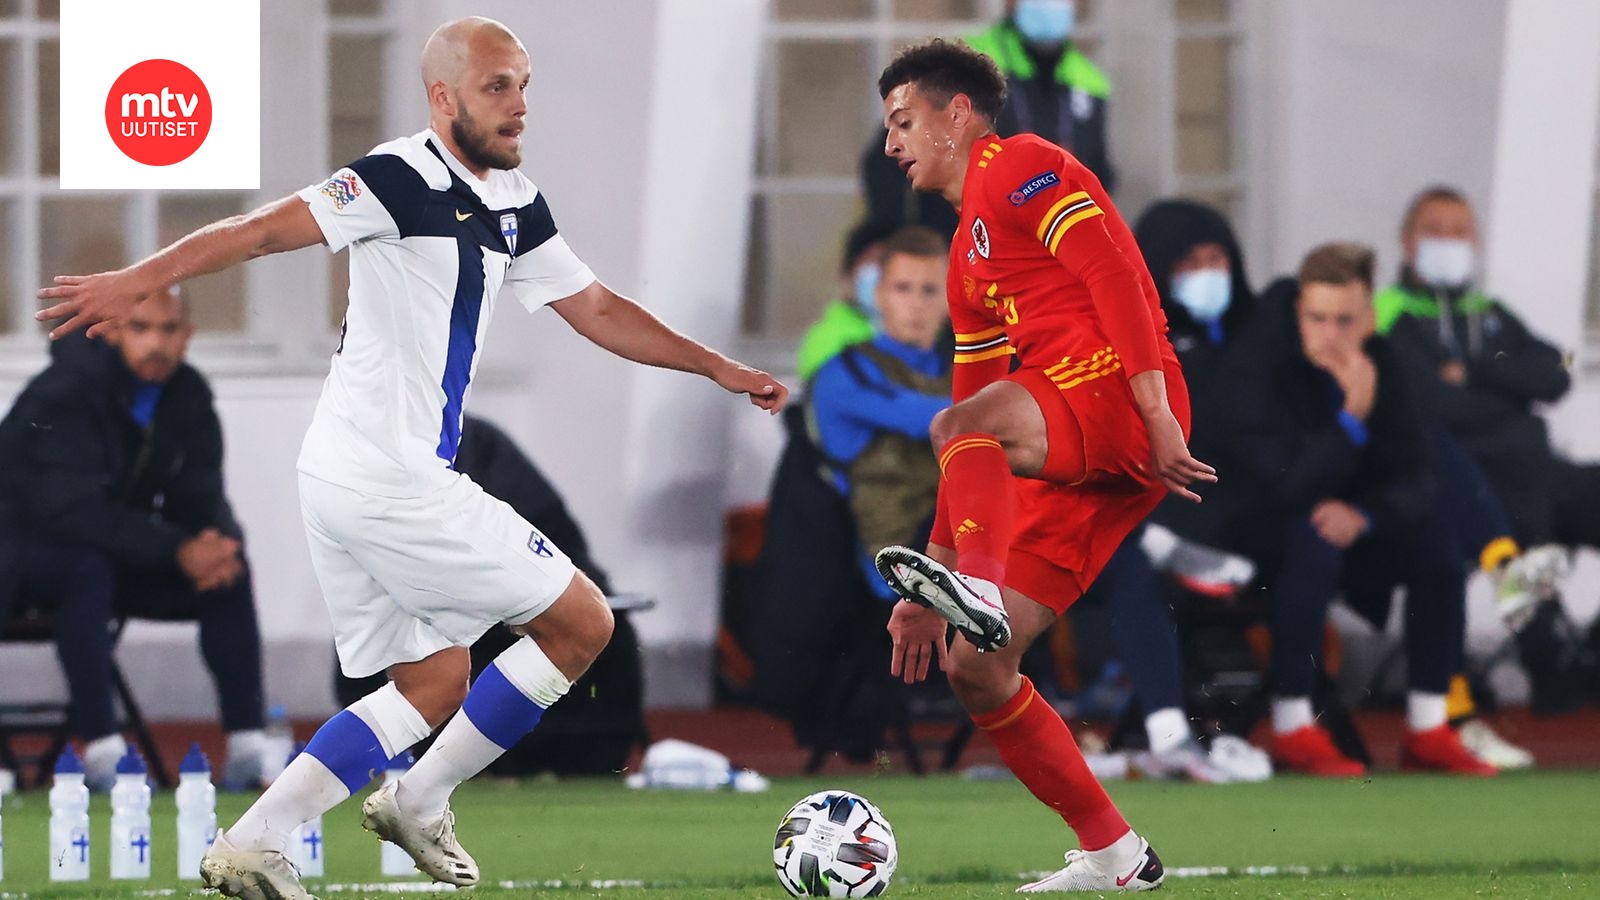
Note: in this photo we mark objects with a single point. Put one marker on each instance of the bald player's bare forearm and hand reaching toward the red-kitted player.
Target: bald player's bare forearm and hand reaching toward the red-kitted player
(631, 332)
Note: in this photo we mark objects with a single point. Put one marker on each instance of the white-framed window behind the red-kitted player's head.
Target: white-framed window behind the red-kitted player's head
(820, 108)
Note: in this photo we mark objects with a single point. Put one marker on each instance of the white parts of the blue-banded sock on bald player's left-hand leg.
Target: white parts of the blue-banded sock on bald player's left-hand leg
(310, 789)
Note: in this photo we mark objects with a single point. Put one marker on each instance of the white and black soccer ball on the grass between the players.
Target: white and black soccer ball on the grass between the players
(834, 845)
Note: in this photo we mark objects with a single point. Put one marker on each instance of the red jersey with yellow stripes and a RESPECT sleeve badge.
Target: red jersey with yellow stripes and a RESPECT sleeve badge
(1044, 267)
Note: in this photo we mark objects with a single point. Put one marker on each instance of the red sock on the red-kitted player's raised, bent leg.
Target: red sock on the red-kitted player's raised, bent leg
(977, 488)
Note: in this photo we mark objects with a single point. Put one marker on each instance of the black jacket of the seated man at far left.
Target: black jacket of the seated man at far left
(78, 468)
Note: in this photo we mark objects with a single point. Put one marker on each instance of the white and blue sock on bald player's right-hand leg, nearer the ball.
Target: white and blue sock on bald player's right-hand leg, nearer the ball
(463, 750)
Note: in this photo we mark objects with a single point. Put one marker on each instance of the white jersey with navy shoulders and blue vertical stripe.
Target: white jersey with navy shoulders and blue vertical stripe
(431, 247)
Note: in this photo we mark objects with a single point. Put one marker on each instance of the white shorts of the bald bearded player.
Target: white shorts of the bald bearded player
(409, 577)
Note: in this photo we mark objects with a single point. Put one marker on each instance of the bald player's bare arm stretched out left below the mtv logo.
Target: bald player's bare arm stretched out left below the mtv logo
(98, 300)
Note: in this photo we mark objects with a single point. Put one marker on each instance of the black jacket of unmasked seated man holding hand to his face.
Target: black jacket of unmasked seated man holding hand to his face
(1286, 451)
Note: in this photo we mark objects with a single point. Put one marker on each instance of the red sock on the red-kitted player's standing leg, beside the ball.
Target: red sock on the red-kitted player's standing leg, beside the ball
(1039, 750)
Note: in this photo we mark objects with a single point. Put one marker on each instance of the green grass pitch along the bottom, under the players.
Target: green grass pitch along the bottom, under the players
(1388, 837)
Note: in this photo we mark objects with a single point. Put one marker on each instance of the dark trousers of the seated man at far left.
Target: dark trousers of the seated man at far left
(87, 592)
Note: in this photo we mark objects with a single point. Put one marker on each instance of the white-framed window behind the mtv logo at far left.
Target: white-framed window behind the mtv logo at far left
(86, 231)
